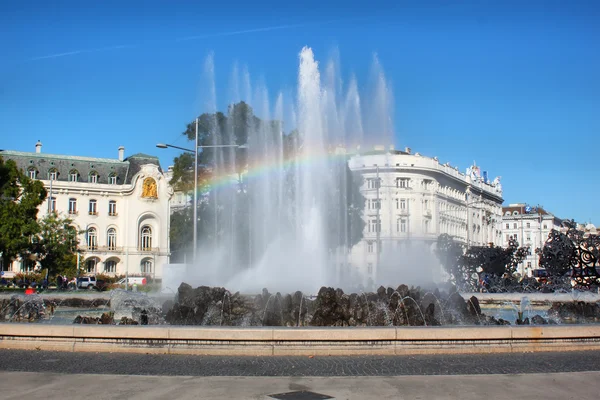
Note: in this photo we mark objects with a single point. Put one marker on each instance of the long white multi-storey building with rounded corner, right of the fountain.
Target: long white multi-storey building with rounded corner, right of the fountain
(413, 199)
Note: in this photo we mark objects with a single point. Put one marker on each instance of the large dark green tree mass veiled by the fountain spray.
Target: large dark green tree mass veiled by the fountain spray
(230, 218)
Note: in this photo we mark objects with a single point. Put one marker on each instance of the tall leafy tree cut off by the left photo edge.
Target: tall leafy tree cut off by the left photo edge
(20, 198)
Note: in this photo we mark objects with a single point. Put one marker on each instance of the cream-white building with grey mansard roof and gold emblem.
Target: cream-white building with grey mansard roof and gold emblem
(120, 205)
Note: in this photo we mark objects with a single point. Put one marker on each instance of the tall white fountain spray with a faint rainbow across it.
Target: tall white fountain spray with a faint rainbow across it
(294, 189)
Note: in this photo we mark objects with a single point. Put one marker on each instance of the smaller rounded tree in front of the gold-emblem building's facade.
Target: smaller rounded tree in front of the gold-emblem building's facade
(56, 244)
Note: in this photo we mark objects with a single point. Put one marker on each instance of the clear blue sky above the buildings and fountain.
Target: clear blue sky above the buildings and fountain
(515, 87)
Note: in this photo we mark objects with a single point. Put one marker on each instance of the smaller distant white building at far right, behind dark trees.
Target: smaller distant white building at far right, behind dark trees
(529, 226)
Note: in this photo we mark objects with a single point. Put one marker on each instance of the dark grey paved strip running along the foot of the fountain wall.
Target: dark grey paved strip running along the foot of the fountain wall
(181, 365)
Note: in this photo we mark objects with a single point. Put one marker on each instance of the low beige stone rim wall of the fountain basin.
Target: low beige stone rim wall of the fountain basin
(299, 341)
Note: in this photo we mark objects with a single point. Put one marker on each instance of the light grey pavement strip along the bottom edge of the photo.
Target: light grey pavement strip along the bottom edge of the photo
(560, 386)
